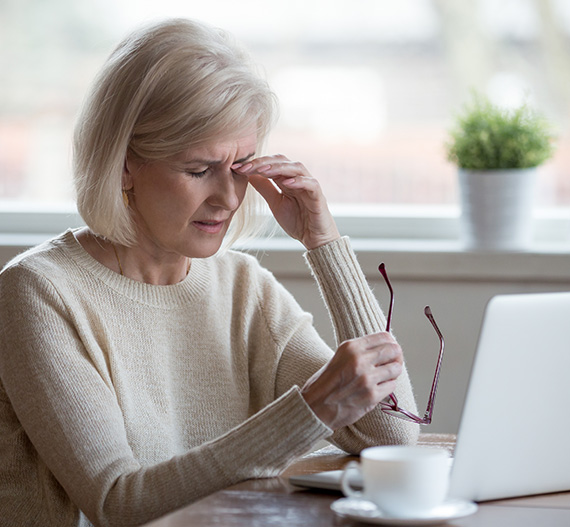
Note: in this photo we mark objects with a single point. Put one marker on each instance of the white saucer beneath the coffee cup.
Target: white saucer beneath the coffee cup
(367, 512)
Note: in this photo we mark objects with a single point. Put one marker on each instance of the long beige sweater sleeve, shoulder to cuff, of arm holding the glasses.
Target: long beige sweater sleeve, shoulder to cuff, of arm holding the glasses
(66, 414)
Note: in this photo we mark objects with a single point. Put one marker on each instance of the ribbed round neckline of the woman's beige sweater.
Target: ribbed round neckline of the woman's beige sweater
(193, 287)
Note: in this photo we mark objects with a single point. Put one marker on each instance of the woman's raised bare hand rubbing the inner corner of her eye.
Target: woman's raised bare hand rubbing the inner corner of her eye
(296, 200)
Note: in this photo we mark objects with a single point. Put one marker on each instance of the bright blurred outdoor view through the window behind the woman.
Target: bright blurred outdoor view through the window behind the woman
(368, 88)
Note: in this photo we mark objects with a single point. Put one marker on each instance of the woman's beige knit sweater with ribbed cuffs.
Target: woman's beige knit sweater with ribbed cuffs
(122, 401)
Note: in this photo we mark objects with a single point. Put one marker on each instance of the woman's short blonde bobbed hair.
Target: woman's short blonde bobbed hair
(165, 88)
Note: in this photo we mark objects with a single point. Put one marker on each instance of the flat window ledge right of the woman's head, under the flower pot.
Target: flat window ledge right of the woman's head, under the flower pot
(431, 260)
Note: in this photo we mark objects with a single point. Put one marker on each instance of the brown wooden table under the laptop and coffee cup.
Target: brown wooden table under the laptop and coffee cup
(275, 503)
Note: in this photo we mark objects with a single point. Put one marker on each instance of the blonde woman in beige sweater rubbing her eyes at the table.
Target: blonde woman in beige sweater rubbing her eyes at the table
(139, 371)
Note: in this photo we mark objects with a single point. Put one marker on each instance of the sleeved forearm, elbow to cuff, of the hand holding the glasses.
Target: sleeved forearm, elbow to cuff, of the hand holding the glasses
(148, 493)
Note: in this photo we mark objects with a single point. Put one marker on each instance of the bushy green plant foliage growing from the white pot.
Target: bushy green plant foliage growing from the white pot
(488, 137)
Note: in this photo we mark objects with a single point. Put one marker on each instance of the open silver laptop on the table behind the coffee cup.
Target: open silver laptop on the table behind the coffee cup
(514, 435)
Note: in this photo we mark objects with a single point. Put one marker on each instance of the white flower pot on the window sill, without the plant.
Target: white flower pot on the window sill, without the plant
(496, 208)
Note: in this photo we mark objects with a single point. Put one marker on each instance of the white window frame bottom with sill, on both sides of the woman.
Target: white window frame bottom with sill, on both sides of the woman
(415, 244)
